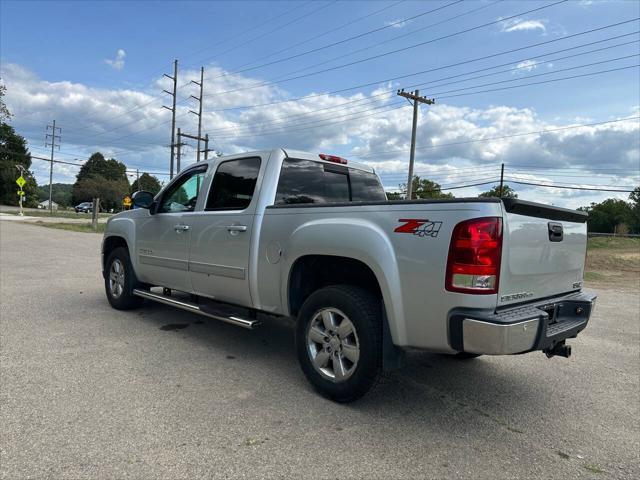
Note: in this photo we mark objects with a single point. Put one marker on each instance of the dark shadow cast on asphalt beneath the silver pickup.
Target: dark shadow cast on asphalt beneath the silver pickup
(428, 387)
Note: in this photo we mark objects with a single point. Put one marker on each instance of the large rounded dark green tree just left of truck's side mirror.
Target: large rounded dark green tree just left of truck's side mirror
(106, 179)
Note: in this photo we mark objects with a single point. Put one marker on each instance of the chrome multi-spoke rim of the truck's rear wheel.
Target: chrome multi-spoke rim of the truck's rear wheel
(332, 343)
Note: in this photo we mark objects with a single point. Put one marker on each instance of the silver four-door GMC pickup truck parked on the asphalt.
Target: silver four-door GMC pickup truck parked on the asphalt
(247, 237)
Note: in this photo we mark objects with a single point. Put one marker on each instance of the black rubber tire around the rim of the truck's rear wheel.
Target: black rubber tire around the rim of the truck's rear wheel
(364, 311)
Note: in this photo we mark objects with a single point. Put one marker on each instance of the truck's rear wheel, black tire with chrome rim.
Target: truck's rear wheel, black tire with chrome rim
(339, 341)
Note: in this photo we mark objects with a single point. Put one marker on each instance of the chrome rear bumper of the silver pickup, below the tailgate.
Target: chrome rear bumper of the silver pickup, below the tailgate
(538, 325)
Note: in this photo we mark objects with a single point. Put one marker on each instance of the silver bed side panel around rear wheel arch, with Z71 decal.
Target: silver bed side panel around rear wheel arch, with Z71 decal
(410, 268)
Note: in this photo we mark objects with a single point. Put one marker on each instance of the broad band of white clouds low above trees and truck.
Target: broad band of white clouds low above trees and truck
(131, 125)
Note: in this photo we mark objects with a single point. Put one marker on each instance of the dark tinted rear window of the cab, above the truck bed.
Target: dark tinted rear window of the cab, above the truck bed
(308, 181)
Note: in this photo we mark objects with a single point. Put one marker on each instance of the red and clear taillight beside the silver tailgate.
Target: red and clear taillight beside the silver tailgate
(473, 265)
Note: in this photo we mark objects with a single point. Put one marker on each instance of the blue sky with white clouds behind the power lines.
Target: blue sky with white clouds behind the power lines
(97, 66)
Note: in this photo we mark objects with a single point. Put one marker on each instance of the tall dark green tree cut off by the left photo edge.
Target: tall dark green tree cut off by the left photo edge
(14, 152)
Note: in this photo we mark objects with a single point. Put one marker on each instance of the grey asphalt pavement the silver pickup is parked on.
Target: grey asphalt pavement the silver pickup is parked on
(90, 392)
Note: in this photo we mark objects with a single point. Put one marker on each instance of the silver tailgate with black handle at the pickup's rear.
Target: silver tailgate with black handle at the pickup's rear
(543, 251)
